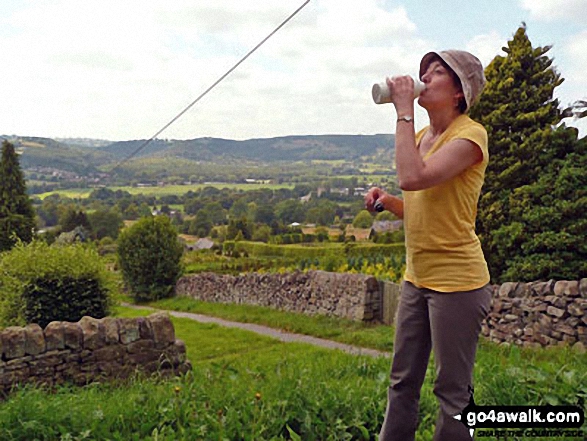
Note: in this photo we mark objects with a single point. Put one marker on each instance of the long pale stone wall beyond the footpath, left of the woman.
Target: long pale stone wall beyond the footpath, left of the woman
(353, 296)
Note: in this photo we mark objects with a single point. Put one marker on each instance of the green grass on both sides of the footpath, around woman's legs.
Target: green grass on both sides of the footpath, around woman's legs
(246, 386)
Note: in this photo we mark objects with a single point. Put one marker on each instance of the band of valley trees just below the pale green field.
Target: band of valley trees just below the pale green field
(257, 214)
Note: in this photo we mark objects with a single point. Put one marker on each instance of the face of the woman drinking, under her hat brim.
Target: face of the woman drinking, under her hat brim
(441, 89)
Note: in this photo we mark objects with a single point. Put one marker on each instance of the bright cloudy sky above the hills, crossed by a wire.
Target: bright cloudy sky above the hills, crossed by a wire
(121, 70)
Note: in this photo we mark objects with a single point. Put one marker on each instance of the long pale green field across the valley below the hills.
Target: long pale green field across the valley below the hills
(82, 193)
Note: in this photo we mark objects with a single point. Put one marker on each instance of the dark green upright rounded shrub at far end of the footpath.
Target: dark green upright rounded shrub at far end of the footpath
(149, 256)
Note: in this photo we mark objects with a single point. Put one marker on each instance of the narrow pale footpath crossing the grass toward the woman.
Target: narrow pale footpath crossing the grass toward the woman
(287, 337)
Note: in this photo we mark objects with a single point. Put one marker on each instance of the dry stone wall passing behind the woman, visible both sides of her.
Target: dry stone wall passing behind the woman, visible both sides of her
(528, 314)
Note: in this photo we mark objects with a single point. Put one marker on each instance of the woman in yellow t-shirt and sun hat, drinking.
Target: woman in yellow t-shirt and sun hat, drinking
(445, 293)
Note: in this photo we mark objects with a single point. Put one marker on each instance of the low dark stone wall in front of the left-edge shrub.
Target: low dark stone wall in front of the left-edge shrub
(89, 350)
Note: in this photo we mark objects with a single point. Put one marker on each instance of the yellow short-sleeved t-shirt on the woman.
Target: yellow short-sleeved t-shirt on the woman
(443, 253)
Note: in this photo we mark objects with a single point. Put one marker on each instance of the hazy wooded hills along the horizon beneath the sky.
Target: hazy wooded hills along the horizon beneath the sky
(90, 157)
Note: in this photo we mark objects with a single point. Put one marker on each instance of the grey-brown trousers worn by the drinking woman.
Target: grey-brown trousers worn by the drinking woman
(448, 323)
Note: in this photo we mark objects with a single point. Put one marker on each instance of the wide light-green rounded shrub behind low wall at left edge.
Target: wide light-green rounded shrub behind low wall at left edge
(40, 283)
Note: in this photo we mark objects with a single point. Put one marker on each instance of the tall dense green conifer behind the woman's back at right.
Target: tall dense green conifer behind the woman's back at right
(531, 219)
